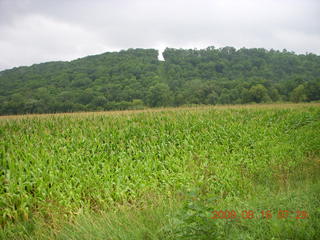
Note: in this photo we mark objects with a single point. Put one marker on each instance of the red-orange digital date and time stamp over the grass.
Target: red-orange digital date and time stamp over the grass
(263, 214)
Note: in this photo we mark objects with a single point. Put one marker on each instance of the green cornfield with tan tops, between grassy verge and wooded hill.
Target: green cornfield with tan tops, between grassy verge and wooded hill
(66, 164)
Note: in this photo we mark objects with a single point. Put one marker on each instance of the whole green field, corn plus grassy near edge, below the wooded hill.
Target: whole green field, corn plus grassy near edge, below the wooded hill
(160, 174)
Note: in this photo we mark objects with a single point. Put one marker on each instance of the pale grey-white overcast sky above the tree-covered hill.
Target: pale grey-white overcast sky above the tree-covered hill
(35, 31)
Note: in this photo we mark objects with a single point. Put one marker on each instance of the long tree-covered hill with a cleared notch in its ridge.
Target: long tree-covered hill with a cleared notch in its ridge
(135, 78)
